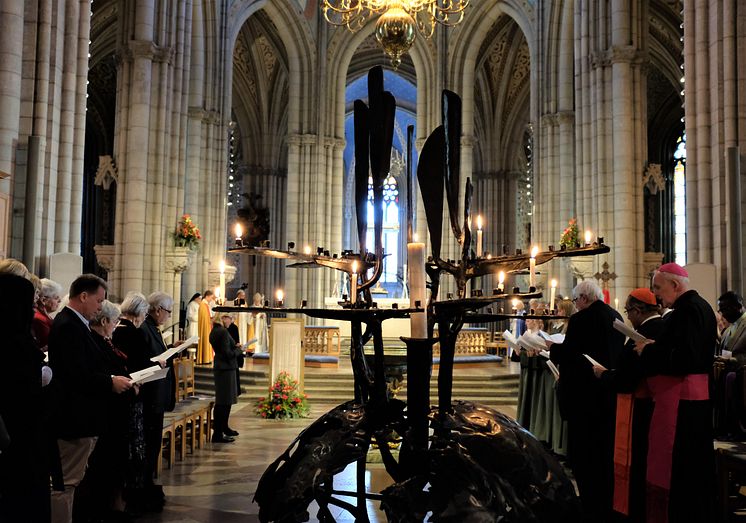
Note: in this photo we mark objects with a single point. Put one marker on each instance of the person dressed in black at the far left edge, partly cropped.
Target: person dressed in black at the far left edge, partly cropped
(24, 461)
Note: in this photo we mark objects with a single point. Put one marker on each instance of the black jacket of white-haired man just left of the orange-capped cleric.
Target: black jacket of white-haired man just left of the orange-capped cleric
(590, 332)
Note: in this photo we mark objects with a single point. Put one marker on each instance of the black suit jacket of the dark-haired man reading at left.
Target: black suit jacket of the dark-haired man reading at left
(82, 378)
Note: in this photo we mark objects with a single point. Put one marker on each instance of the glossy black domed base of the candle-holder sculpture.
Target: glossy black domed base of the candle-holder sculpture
(486, 468)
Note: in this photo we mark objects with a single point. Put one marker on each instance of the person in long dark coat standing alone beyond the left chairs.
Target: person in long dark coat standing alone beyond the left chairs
(226, 383)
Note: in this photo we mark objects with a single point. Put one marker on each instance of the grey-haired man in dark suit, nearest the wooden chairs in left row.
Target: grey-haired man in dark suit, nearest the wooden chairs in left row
(158, 396)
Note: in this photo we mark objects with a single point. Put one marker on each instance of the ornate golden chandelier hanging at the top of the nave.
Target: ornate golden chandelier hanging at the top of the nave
(398, 20)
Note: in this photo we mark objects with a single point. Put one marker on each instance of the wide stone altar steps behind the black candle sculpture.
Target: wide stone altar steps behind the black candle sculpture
(335, 388)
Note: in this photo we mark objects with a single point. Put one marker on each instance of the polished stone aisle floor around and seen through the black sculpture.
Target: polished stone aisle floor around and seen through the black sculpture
(217, 483)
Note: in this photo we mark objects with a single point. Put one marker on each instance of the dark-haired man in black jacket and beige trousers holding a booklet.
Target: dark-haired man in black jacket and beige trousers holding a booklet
(82, 381)
